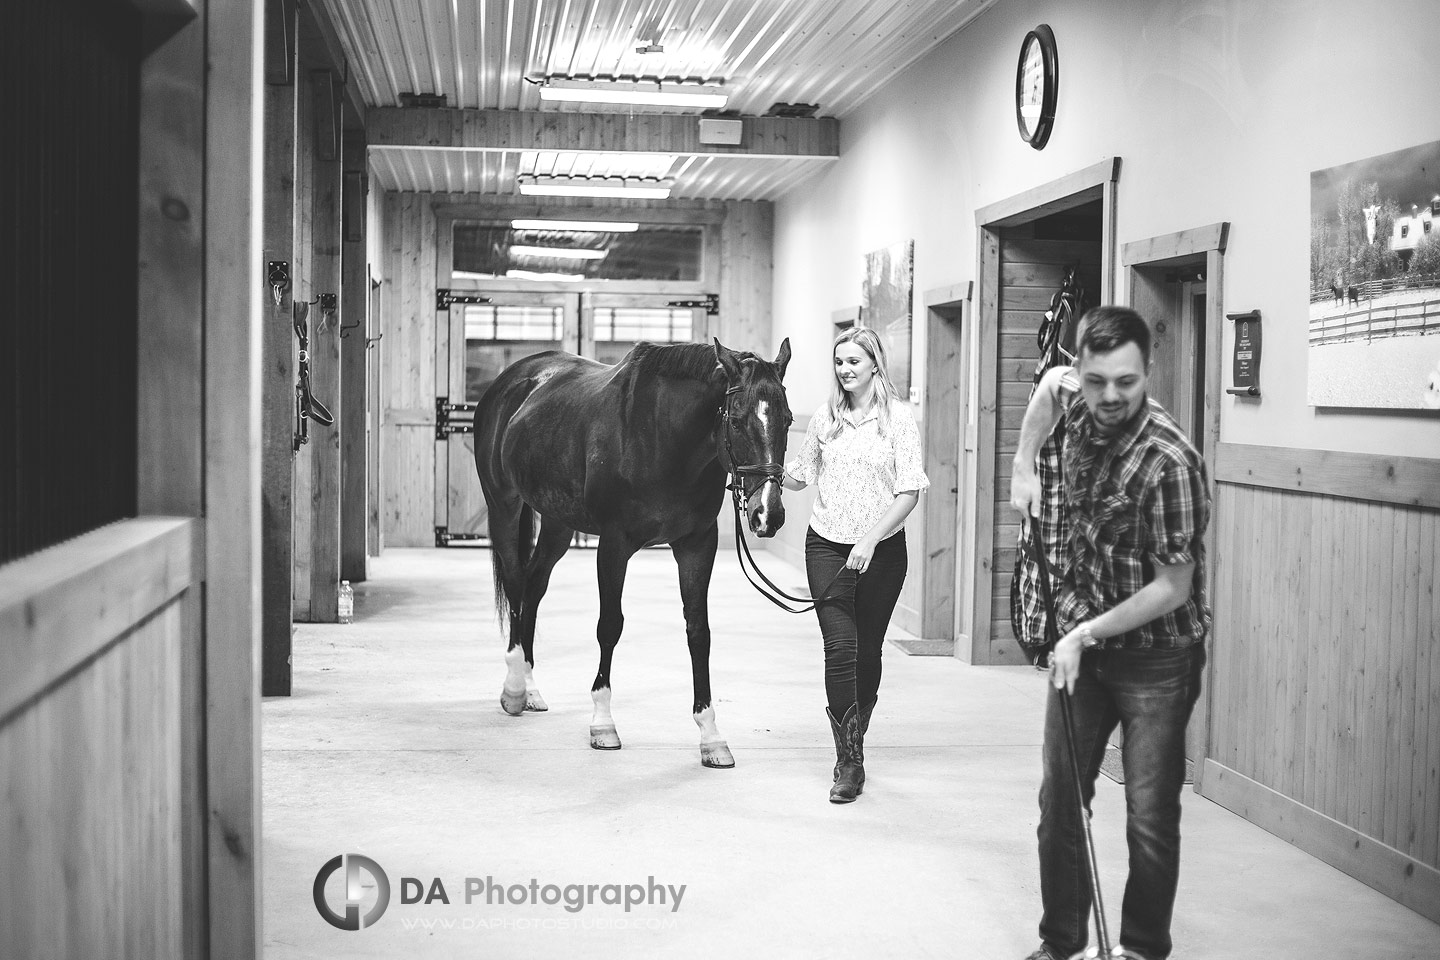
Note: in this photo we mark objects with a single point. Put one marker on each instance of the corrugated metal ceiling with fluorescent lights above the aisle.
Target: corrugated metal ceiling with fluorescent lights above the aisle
(480, 54)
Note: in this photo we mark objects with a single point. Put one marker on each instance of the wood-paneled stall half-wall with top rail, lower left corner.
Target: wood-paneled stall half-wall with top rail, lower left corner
(104, 804)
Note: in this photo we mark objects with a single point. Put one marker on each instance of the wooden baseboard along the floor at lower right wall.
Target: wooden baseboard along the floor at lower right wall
(1390, 871)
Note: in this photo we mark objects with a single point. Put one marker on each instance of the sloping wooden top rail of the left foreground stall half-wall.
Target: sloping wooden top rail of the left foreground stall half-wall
(67, 604)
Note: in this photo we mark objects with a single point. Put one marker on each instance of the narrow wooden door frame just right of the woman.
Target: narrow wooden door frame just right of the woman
(947, 434)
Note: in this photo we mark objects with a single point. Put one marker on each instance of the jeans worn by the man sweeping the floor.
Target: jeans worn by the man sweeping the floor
(1151, 694)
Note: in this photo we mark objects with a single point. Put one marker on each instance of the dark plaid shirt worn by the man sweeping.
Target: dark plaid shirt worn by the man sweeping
(1134, 502)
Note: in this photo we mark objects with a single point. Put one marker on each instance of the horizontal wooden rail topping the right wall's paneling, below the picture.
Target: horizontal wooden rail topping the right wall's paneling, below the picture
(1385, 480)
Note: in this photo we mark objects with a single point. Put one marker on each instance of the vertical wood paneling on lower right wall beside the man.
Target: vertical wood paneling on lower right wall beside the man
(1326, 693)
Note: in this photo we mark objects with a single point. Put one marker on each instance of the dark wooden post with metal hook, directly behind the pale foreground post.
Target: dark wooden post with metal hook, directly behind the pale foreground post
(279, 371)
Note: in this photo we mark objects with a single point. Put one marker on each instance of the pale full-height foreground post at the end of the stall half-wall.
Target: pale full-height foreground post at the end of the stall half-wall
(233, 317)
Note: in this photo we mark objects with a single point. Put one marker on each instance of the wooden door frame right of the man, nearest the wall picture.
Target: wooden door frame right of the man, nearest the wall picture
(1187, 247)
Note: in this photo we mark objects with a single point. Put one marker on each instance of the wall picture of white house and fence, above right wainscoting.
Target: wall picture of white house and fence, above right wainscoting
(1376, 283)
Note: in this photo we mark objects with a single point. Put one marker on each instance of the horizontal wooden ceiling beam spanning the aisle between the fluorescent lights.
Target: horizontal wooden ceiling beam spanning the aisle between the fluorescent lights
(510, 130)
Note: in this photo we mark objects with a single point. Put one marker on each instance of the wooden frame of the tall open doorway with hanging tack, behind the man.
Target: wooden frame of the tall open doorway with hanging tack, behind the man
(1097, 182)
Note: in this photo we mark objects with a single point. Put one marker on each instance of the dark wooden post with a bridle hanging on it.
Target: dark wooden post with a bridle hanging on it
(325, 358)
